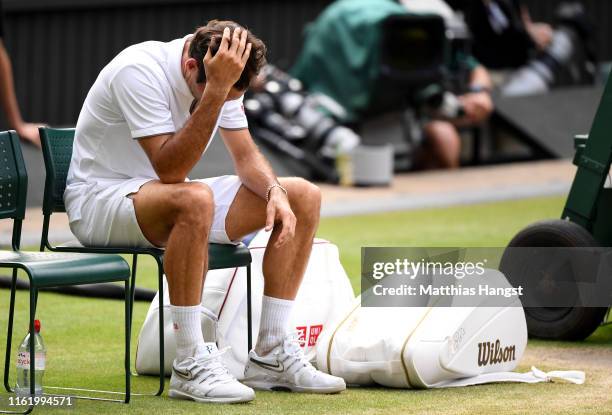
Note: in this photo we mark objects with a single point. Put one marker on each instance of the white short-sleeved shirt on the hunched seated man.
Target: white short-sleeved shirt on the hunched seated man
(140, 93)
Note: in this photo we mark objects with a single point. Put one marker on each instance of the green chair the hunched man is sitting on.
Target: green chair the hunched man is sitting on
(57, 152)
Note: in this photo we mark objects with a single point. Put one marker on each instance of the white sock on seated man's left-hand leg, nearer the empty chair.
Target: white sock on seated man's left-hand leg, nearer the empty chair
(187, 330)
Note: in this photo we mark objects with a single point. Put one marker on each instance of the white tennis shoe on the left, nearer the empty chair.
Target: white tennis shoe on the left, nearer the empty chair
(204, 378)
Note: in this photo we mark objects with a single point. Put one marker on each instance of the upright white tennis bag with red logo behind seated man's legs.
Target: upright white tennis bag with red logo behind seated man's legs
(325, 293)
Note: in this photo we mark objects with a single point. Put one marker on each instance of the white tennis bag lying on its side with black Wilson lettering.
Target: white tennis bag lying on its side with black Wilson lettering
(430, 347)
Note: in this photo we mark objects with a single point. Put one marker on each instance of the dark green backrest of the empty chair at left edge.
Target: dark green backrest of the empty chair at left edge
(13, 177)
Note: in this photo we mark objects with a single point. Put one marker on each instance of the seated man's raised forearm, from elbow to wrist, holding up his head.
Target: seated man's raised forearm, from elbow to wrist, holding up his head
(177, 155)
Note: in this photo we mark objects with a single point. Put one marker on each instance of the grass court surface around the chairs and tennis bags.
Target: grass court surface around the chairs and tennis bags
(84, 337)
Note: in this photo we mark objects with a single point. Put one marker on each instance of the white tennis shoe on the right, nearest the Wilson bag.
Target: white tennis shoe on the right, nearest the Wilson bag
(286, 368)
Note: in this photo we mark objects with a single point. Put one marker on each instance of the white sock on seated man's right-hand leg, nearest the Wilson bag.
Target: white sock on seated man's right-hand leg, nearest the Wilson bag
(275, 314)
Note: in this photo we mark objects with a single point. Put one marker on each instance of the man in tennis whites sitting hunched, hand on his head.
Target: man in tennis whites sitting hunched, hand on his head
(146, 121)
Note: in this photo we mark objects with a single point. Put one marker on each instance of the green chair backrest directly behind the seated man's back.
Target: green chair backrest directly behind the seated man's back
(57, 152)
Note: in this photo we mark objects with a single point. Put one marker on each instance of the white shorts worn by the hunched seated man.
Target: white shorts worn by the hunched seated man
(108, 218)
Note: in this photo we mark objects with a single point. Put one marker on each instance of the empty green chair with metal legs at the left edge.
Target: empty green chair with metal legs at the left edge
(46, 269)
